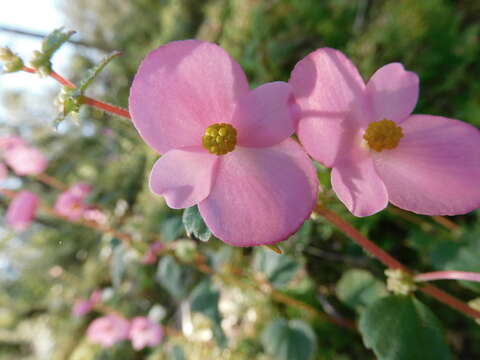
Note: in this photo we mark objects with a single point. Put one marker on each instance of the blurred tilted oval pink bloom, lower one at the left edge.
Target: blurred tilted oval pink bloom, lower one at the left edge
(22, 210)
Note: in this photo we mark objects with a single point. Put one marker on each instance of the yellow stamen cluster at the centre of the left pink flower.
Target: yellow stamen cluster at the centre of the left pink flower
(220, 139)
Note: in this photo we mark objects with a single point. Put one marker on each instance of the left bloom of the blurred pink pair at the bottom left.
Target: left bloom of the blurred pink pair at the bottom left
(108, 330)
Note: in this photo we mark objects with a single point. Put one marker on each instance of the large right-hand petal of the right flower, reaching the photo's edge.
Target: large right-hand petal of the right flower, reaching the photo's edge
(436, 167)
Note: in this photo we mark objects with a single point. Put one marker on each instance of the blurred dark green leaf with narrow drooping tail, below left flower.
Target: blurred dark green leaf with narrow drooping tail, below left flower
(205, 300)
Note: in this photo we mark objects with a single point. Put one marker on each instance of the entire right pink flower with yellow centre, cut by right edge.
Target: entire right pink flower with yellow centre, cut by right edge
(378, 150)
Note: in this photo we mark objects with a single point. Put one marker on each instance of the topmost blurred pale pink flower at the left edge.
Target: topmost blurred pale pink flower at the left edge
(25, 160)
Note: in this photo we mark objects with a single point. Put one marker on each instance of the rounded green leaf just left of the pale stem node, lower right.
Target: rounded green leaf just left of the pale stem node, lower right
(358, 289)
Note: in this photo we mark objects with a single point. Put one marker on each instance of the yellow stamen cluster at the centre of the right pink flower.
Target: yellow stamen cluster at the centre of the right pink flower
(383, 134)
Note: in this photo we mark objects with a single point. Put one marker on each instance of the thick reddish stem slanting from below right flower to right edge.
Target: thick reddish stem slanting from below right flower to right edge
(391, 262)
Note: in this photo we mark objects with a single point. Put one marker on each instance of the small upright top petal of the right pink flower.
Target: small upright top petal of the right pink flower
(393, 92)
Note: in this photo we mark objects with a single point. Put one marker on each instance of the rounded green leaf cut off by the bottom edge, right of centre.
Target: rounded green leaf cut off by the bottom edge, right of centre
(289, 340)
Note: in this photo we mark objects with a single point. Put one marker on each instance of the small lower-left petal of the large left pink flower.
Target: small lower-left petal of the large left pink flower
(183, 176)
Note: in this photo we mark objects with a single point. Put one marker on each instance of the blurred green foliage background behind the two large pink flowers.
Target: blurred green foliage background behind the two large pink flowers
(237, 312)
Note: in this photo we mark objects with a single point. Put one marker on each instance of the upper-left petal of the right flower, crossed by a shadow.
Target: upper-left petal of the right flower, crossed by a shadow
(330, 94)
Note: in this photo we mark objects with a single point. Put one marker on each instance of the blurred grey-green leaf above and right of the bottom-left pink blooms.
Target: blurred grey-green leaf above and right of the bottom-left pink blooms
(173, 277)
